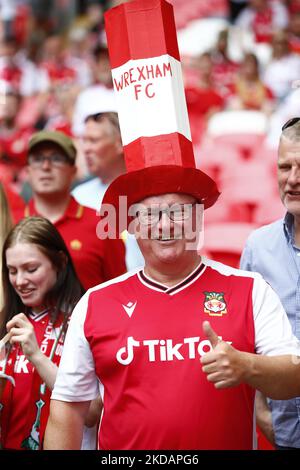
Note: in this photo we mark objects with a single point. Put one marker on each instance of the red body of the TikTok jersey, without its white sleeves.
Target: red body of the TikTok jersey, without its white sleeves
(156, 395)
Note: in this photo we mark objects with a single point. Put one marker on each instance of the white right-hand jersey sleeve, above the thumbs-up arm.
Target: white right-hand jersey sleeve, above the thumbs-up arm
(273, 332)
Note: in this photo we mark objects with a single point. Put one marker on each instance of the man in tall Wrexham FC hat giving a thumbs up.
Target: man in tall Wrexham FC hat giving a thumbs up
(179, 347)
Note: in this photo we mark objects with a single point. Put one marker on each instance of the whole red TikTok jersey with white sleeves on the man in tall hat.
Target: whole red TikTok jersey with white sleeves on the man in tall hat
(143, 341)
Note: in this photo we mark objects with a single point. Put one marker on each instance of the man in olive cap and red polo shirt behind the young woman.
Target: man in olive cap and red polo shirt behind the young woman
(51, 171)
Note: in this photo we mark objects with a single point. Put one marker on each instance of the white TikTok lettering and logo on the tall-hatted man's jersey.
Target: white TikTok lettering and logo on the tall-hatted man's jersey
(164, 350)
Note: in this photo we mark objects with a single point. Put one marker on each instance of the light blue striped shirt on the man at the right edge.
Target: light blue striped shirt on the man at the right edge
(271, 251)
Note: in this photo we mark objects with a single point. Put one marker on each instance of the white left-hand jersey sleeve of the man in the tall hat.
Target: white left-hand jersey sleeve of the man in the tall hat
(76, 379)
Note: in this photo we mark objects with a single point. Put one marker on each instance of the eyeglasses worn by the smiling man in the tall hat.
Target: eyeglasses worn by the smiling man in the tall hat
(176, 213)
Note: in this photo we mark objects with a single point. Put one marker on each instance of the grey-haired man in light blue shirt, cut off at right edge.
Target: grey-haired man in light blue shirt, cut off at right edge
(274, 252)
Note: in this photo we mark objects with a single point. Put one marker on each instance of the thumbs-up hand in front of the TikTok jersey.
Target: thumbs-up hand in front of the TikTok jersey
(224, 366)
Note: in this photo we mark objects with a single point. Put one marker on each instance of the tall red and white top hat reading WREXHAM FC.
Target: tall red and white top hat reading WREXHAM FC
(154, 123)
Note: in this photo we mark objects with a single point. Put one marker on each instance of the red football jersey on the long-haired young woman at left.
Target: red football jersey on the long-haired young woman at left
(24, 410)
